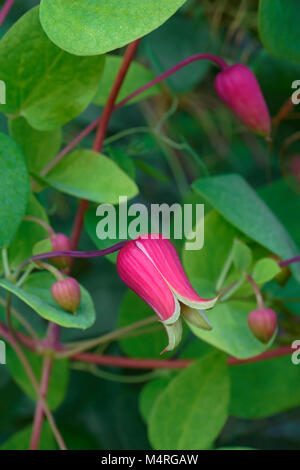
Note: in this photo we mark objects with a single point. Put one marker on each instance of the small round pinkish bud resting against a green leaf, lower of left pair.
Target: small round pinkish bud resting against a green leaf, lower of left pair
(67, 294)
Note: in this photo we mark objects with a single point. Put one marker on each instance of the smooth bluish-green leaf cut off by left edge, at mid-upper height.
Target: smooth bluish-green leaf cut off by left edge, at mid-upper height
(14, 183)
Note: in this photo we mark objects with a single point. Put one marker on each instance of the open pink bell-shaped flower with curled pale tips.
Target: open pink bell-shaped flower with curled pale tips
(151, 267)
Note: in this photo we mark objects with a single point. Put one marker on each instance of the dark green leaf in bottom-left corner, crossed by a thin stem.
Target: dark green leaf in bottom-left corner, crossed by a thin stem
(21, 439)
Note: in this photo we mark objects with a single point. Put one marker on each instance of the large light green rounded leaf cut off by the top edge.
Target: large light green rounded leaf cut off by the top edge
(96, 26)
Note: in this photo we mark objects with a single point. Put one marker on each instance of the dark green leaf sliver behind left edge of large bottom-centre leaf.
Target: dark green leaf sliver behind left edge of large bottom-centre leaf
(150, 393)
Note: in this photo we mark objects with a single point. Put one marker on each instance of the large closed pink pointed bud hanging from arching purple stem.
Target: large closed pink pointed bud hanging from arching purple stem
(238, 87)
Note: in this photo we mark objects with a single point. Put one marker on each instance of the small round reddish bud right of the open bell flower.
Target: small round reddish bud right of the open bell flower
(263, 323)
